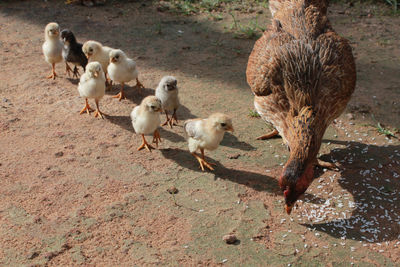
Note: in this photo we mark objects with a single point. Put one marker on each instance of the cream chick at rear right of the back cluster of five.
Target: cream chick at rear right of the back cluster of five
(122, 69)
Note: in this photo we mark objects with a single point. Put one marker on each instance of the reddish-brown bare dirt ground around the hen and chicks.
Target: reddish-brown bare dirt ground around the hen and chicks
(74, 190)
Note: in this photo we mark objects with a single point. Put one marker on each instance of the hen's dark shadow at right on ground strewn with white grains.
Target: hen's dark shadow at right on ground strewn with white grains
(370, 174)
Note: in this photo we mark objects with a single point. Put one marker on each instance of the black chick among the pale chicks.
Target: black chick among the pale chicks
(72, 52)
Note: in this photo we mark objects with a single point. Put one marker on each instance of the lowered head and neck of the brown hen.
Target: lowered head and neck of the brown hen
(304, 136)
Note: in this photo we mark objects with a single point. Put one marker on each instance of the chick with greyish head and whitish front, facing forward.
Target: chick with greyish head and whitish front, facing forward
(167, 92)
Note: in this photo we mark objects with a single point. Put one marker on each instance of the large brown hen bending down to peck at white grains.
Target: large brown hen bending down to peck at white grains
(302, 74)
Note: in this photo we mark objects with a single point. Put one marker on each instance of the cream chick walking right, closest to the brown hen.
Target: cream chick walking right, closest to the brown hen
(206, 134)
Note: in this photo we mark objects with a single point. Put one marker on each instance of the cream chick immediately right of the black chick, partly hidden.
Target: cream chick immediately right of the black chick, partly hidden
(95, 51)
